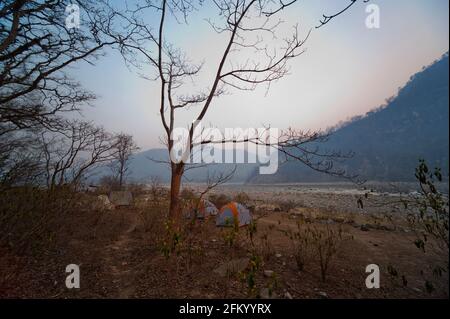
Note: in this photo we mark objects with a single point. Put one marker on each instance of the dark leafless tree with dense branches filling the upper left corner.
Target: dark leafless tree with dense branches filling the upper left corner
(36, 48)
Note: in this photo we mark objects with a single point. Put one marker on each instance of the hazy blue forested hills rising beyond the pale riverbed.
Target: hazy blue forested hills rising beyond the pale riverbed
(387, 142)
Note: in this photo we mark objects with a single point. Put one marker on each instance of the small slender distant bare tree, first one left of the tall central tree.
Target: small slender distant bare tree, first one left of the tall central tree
(125, 147)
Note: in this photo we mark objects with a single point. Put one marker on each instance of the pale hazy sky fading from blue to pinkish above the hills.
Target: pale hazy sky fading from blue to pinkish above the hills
(347, 70)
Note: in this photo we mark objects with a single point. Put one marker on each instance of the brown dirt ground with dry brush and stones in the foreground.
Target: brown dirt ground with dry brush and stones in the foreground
(120, 255)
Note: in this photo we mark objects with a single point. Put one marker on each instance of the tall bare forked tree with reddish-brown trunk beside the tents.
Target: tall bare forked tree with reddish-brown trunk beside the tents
(248, 60)
